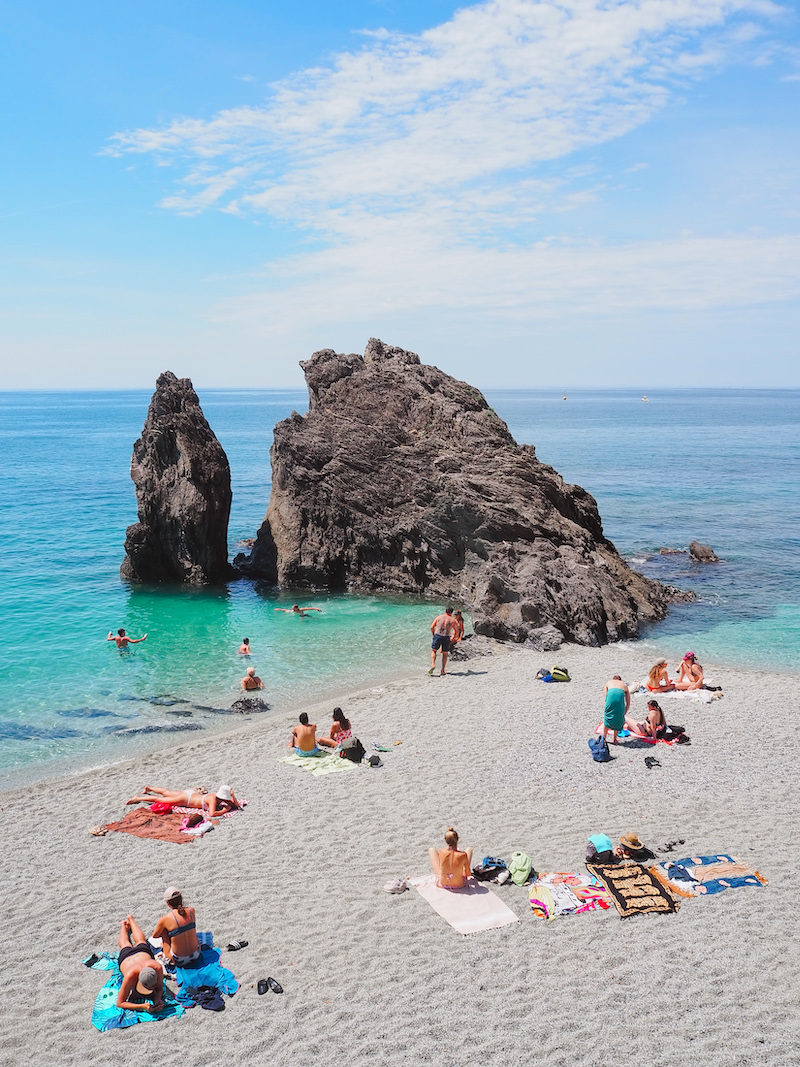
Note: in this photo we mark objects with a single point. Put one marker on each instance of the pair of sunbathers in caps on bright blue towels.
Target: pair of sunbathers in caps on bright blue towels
(143, 974)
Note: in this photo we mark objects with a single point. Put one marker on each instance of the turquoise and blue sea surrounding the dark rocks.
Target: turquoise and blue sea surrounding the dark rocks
(722, 467)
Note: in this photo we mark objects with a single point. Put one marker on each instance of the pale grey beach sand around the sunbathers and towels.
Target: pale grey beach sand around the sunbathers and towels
(373, 979)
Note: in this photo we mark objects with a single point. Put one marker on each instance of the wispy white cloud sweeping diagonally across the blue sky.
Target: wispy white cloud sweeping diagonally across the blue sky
(414, 162)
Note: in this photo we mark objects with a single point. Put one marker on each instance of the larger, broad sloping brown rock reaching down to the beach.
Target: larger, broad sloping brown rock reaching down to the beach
(402, 479)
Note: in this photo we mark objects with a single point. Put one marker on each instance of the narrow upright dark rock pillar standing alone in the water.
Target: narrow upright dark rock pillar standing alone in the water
(183, 483)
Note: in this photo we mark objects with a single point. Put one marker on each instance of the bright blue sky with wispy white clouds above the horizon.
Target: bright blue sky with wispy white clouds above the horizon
(555, 194)
